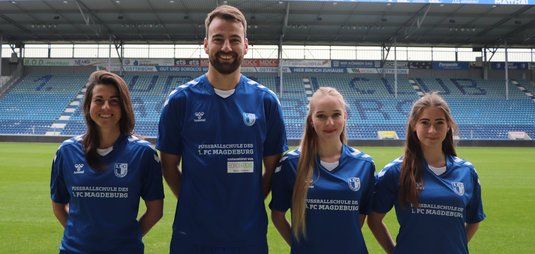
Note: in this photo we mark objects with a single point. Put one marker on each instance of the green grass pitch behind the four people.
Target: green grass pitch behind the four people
(507, 176)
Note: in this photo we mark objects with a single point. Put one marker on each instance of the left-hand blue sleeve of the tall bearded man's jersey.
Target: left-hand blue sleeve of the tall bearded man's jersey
(171, 122)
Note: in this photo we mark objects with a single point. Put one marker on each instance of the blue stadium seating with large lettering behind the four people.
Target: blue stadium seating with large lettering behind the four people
(40, 101)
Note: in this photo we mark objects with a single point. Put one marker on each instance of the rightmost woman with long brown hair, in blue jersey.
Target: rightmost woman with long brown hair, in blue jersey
(436, 195)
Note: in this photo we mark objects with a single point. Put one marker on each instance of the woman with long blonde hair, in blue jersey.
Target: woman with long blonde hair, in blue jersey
(326, 184)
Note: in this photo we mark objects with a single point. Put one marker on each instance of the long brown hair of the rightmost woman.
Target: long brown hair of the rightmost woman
(411, 167)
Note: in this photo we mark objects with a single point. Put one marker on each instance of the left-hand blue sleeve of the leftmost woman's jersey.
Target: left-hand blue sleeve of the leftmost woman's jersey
(58, 188)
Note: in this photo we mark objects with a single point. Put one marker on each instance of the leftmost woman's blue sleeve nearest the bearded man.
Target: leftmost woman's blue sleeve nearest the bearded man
(152, 186)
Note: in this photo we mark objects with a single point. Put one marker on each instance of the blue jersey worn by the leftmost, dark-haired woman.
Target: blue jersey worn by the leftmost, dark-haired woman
(103, 205)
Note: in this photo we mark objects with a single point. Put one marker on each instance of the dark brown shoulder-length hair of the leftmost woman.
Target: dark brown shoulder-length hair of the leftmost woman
(91, 139)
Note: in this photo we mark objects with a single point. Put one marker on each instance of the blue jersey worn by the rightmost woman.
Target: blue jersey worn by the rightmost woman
(447, 202)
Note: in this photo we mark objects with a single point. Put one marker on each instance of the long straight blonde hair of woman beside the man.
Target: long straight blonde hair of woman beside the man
(309, 152)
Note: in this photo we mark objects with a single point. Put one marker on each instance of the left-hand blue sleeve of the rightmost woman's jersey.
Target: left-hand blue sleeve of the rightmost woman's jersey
(386, 190)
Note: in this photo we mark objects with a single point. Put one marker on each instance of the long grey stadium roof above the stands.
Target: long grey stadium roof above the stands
(483, 23)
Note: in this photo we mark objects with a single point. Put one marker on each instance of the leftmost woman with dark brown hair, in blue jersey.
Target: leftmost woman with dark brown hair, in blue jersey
(98, 178)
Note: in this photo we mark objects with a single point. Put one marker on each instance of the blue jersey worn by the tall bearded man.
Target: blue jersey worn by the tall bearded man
(222, 142)
